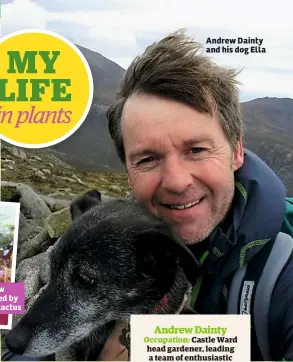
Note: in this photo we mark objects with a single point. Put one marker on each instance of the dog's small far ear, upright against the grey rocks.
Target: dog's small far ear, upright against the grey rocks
(84, 203)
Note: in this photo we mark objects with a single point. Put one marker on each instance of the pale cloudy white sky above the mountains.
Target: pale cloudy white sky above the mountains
(121, 29)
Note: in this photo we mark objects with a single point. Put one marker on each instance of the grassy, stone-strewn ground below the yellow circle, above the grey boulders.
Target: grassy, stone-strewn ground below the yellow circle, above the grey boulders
(48, 175)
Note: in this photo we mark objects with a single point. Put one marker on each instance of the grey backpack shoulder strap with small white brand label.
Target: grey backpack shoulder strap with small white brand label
(252, 287)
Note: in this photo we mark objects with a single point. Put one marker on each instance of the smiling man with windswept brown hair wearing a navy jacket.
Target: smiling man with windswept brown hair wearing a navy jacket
(178, 129)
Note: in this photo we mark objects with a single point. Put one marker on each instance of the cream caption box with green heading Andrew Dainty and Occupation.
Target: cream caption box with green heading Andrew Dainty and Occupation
(190, 338)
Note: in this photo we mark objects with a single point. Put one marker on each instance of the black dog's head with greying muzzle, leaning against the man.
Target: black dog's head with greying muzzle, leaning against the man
(114, 260)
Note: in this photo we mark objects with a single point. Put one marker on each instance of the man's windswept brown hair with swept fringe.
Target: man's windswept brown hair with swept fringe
(174, 69)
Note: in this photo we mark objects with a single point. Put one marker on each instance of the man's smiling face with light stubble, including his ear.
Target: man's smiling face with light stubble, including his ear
(180, 164)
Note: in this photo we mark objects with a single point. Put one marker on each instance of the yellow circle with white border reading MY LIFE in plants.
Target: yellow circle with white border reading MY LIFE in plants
(46, 88)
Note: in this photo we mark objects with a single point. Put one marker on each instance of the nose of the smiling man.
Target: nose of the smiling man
(176, 176)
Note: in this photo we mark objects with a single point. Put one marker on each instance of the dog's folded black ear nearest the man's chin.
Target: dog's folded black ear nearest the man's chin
(159, 255)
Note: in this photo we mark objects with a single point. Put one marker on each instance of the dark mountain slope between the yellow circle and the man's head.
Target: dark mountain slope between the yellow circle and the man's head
(90, 147)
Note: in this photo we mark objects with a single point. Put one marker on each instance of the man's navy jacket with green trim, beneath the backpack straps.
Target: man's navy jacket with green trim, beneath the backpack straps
(259, 212)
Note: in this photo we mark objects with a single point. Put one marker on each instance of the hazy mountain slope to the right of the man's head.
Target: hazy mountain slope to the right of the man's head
(269, 133)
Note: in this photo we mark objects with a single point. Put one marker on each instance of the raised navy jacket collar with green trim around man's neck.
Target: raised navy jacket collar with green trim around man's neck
(257, 215)
